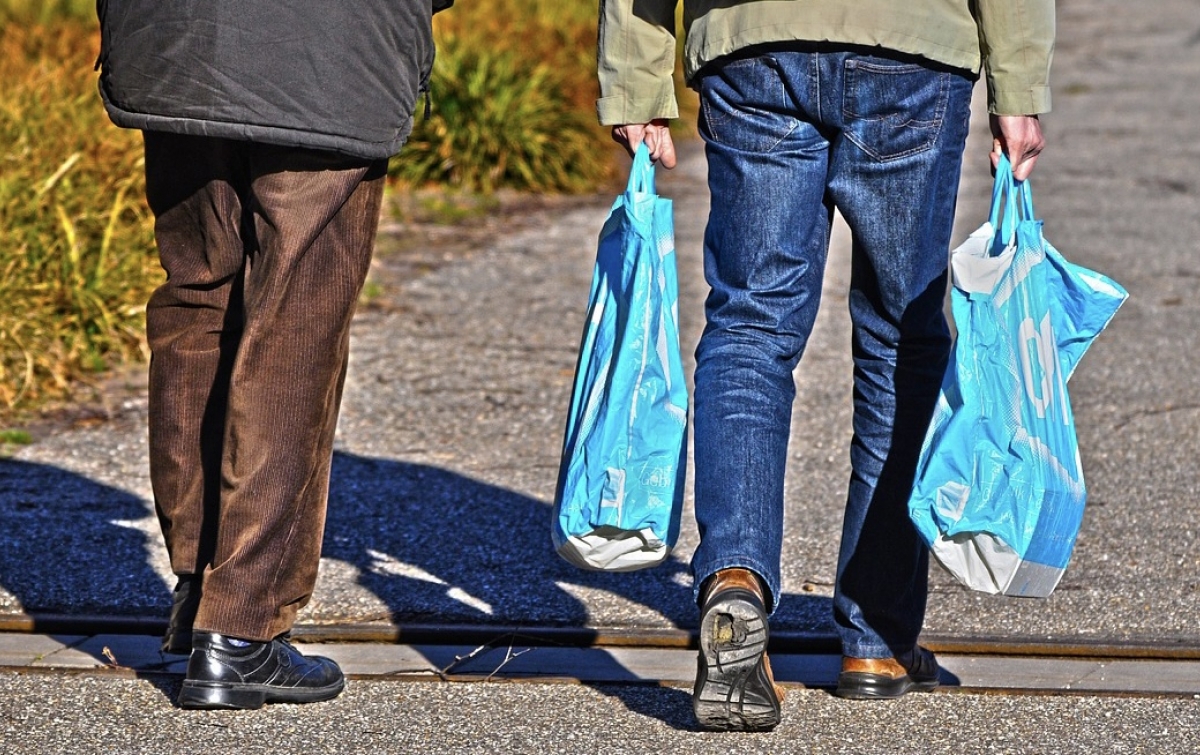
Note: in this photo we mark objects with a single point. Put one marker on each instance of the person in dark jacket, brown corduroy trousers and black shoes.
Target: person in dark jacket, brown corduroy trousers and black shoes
(267, 147)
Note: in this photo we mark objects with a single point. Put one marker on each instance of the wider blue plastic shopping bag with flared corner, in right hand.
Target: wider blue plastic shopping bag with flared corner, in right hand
(1000, 492)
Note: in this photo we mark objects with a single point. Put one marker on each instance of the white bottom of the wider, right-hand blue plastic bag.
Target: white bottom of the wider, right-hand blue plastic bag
(988, 565)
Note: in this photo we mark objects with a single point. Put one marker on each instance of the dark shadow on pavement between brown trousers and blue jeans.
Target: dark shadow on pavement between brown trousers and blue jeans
(436, 547)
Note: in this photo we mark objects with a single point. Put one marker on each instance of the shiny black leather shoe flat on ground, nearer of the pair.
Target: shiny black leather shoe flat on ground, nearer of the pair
(225, 673)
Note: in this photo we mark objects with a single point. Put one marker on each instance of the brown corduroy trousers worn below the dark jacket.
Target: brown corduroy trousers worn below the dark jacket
(266, 251)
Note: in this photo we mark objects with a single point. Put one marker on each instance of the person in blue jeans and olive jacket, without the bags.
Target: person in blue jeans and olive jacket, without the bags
(807, 109)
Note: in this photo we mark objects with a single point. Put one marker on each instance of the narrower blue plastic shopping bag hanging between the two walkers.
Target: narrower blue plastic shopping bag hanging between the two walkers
(620, 496)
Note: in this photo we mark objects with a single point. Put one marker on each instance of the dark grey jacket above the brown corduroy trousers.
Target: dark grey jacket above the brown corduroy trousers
(343, 75)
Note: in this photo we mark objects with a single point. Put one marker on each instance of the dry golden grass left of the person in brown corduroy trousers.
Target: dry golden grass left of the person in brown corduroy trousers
(76, 255)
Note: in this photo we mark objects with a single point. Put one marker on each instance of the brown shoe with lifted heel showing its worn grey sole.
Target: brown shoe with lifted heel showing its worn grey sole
(735, 690)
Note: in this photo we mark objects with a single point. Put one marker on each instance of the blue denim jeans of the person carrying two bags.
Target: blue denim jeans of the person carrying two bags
(790, 136)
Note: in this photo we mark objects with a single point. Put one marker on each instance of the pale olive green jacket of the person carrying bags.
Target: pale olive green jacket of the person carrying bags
(1011, 41)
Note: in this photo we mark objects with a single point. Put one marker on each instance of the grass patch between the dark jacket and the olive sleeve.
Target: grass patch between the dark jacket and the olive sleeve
(513, 101)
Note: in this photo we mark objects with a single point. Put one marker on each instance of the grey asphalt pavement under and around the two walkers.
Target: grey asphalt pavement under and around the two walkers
(448, 451)
